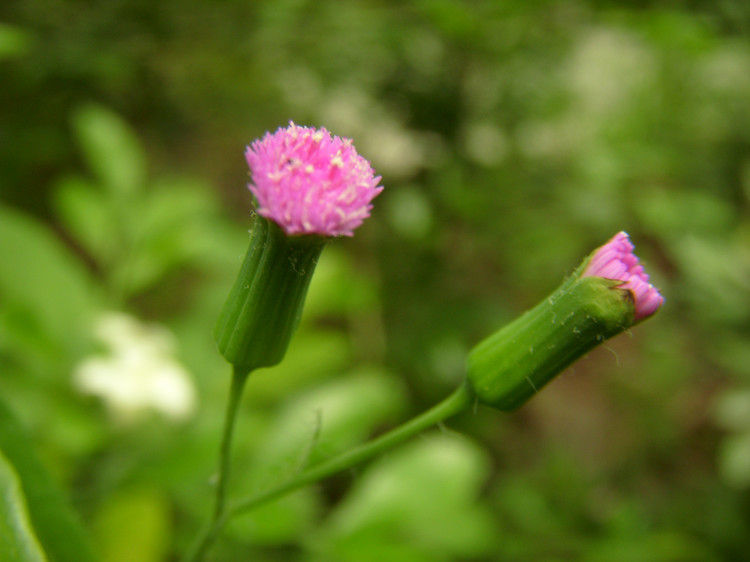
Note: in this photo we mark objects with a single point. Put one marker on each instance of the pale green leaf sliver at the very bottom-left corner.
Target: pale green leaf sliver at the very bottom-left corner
(17, 540)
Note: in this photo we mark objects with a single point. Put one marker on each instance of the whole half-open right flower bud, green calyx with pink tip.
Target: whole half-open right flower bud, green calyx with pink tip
(606, 295)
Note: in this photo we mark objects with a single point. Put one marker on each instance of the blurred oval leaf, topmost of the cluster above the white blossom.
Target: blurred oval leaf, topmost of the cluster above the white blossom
(111, 148)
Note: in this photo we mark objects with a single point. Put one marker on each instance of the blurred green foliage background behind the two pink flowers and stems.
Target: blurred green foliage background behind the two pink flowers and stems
(513, 137)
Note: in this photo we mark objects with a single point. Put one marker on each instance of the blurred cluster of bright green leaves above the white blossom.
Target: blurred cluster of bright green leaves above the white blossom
(137, 235)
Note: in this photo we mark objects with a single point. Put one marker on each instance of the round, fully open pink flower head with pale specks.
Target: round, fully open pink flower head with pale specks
(310, 182)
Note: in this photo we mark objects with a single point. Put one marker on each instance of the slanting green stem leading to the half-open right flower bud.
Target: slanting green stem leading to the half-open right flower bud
(455, 403)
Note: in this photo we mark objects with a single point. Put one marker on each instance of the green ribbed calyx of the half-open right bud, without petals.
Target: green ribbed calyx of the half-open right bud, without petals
(511, 365)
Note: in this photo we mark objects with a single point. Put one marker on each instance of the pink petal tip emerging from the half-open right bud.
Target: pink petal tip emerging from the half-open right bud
(616, 260)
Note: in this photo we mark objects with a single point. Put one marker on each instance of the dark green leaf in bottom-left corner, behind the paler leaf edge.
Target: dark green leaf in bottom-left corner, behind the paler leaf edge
(56, 525)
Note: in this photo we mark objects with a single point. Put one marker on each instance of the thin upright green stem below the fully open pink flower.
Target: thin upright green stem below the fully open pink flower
(208, 536)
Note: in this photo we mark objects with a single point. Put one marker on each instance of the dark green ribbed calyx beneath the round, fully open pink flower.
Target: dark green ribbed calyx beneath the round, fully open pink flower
(265, 303)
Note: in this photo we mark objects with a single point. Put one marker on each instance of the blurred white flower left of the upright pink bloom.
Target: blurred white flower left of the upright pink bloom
(139, 372)
